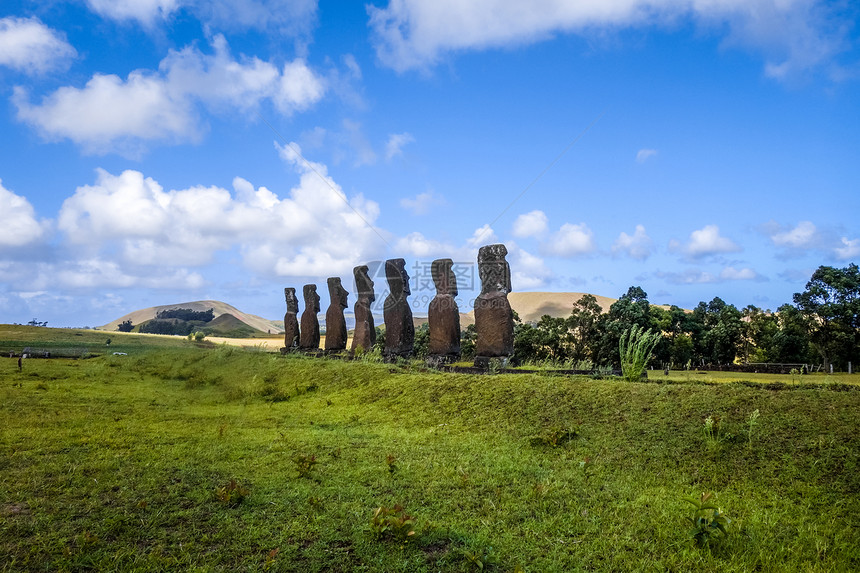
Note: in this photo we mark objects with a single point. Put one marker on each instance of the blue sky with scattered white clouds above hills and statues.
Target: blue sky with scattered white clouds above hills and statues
(160, 151)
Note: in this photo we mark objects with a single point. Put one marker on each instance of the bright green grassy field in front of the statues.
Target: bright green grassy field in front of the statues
(223, 459)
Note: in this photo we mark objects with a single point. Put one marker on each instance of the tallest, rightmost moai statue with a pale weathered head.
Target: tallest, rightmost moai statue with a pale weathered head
(494, 319)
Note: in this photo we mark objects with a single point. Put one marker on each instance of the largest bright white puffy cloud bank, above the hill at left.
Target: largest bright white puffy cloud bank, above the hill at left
(129, 221)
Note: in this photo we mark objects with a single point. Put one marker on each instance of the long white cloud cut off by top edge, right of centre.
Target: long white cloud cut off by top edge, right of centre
(793, 35)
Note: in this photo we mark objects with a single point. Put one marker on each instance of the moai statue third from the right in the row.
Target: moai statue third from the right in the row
(399, 329)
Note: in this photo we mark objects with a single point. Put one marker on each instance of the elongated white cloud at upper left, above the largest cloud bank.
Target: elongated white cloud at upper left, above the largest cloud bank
(114, 114)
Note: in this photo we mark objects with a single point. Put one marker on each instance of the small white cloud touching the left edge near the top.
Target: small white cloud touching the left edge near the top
(27, 45)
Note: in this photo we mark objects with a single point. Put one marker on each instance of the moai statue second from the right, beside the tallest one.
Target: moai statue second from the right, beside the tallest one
(444, 315)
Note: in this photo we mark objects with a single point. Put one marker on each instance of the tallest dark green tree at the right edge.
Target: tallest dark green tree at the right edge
(831, 305)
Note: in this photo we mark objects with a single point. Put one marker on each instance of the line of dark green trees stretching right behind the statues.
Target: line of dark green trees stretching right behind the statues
(820, 326)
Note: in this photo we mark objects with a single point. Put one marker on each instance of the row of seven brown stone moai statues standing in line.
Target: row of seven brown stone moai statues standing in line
(493, 315)
